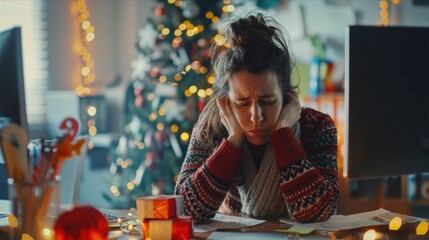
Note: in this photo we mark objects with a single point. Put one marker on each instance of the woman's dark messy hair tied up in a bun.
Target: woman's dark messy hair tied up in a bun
(254, 44)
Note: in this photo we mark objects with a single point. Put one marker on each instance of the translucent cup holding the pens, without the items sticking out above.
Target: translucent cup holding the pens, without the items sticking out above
(35, 207)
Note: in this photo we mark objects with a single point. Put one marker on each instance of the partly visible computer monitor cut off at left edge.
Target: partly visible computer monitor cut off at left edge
(12, 92)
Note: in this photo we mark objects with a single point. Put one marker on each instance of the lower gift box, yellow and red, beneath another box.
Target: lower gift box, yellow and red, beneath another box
(171, 229)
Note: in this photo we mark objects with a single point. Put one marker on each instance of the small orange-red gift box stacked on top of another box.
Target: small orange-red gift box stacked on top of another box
(159, 207)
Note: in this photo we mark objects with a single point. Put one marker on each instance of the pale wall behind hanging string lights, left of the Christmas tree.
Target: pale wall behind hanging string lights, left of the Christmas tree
(116, 24)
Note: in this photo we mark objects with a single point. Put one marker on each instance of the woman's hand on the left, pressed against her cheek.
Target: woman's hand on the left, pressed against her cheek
(228, 119)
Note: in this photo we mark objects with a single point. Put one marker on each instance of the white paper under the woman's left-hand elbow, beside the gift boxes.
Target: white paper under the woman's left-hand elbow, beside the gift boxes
(221, 221)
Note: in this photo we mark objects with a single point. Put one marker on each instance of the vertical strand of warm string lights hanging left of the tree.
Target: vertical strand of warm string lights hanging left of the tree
(86, 36)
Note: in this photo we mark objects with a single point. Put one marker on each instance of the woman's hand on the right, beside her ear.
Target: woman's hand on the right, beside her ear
(291, 112)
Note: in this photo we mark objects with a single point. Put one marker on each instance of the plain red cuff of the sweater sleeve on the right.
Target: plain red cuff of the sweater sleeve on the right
(286, 147)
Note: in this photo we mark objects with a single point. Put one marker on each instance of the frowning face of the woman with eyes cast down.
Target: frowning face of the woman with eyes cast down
(256, 101)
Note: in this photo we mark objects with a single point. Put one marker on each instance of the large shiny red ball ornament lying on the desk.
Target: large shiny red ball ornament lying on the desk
(82, 222)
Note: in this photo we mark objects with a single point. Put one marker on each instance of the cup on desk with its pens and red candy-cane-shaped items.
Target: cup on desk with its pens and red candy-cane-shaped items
(34, 183)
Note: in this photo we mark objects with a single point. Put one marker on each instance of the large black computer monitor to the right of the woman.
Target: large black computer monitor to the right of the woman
(386, 101)
